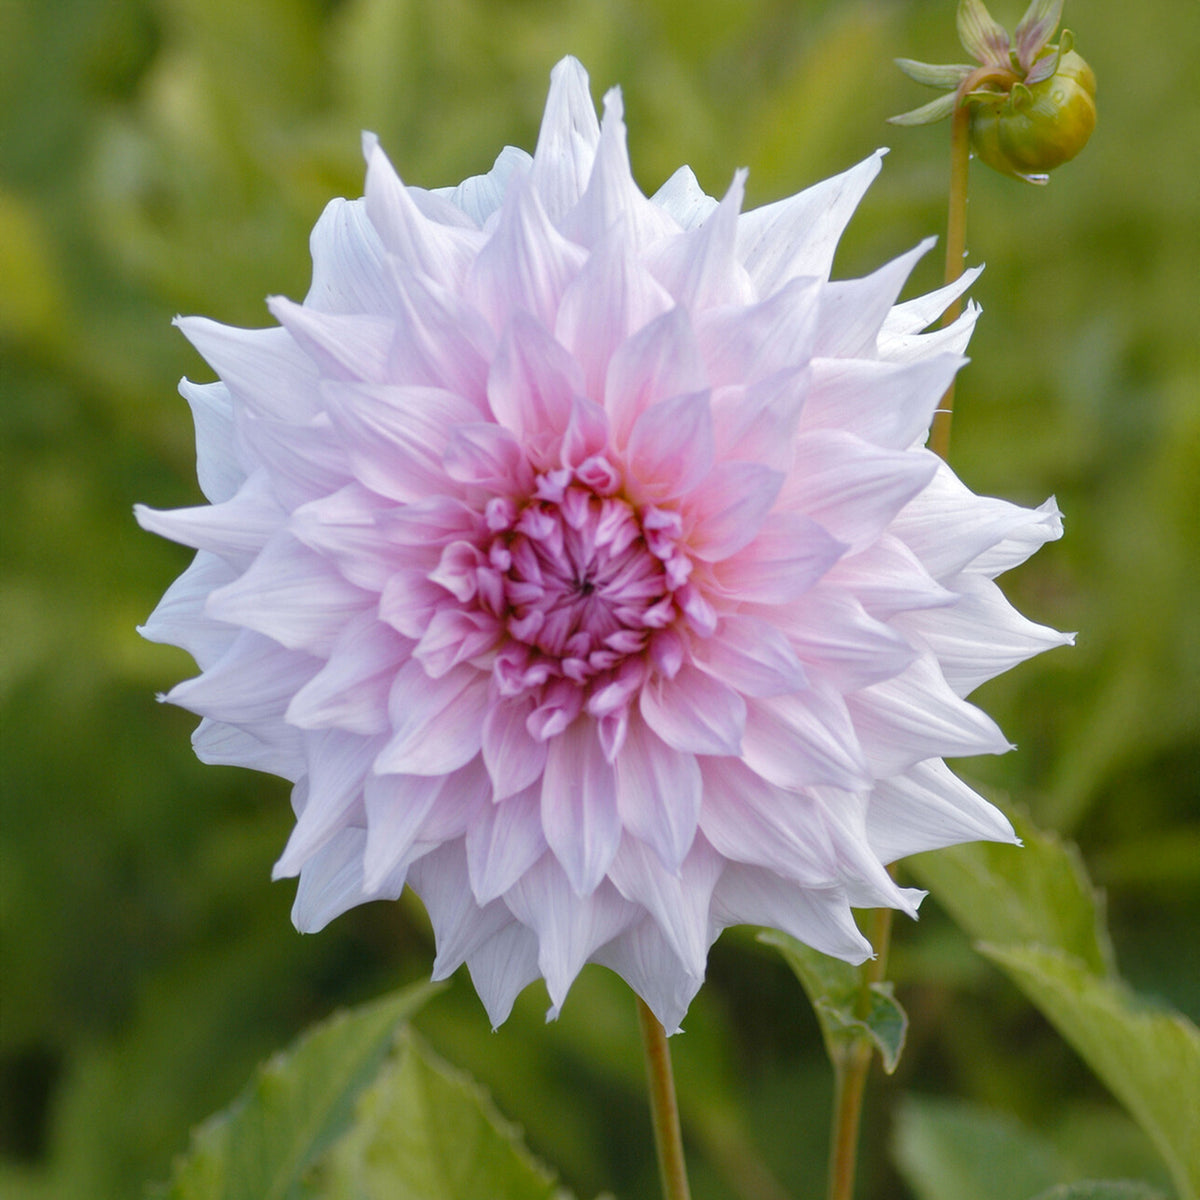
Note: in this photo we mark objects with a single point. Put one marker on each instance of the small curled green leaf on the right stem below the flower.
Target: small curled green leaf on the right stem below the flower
(835, 989)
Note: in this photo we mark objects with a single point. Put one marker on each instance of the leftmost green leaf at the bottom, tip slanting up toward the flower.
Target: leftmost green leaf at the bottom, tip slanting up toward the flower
(295, 1109)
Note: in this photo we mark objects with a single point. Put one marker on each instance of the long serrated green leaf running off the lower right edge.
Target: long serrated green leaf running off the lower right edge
(1148, 1057)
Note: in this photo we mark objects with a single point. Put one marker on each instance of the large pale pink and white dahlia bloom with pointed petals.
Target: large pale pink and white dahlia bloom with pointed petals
(577, 556)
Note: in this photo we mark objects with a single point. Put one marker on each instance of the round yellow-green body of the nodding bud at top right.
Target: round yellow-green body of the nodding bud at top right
(1036, 128)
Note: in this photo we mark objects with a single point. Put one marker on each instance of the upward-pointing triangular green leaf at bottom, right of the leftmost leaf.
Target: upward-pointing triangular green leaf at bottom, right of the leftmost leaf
(428, 1132)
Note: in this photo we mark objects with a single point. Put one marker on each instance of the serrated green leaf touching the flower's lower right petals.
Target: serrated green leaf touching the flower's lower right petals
(1033, 895)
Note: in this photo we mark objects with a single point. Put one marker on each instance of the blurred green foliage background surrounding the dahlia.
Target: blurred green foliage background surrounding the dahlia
(163, 157)
